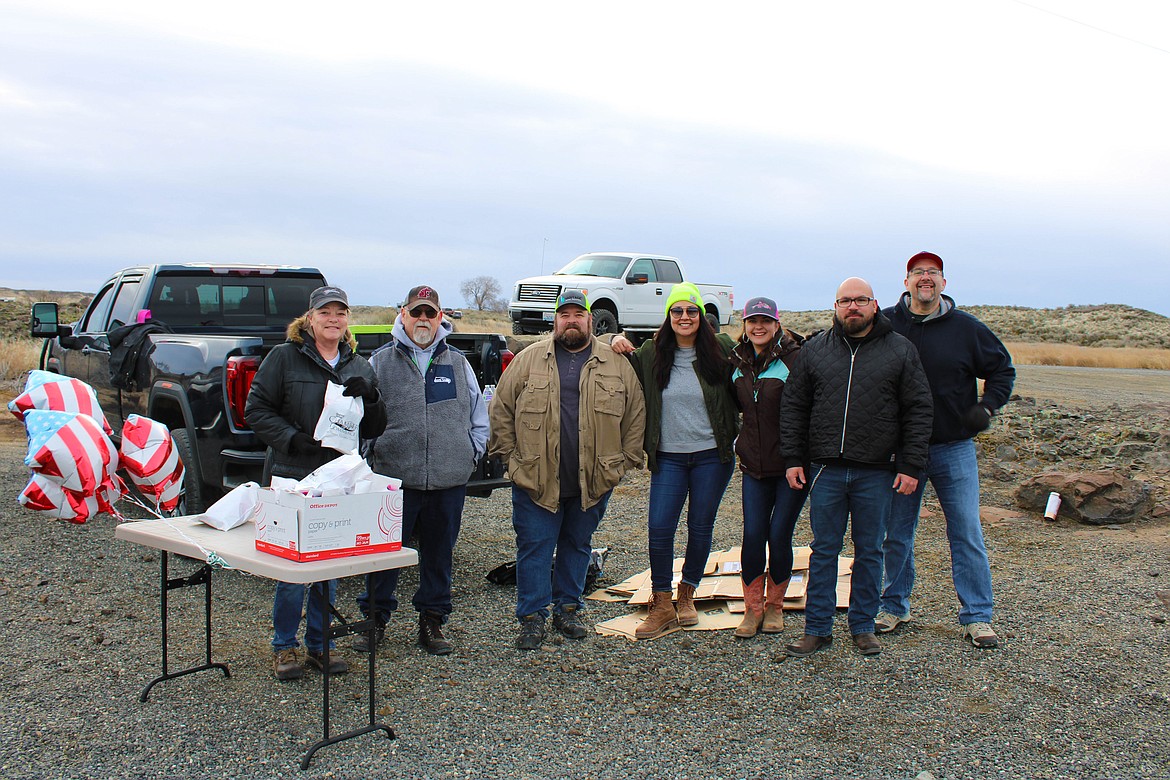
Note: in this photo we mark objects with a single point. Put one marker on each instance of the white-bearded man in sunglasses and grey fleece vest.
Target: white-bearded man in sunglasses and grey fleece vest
(438, 432)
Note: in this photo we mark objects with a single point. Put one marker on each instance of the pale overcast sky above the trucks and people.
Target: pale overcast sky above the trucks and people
(775, 147)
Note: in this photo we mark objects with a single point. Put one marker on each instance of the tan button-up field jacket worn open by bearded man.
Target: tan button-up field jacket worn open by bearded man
(526, 423)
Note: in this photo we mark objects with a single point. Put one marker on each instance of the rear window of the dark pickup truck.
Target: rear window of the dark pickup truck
(216, 300)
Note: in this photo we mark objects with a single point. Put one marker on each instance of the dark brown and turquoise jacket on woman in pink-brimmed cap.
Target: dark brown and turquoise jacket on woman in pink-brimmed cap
(760, 389)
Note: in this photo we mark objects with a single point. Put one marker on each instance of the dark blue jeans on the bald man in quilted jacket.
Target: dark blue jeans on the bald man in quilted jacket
(861, 499)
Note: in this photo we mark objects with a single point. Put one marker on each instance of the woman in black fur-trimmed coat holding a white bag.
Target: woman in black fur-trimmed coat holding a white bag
(287, 398)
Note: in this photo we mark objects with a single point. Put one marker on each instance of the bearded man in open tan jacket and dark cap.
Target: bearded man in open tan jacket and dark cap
(568, 417)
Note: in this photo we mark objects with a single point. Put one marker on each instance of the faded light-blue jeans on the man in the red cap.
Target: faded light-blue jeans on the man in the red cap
(954, 473)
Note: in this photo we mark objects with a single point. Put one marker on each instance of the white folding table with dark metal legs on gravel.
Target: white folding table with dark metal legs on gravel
(187, 537)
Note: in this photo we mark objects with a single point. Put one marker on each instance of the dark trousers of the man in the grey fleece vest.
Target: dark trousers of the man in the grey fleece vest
(432, 517)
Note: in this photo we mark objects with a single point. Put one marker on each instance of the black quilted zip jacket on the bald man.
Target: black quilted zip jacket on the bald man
(865, 404)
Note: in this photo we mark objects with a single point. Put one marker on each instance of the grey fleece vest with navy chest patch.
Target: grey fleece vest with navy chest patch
(428, 443)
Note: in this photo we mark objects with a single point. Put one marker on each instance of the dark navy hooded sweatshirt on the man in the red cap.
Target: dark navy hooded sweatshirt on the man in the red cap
(956, 350)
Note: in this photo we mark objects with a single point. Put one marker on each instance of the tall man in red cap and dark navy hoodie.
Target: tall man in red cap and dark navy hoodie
(956, 350)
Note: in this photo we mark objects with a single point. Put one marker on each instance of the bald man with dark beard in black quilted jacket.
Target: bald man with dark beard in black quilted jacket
(858, 408)
